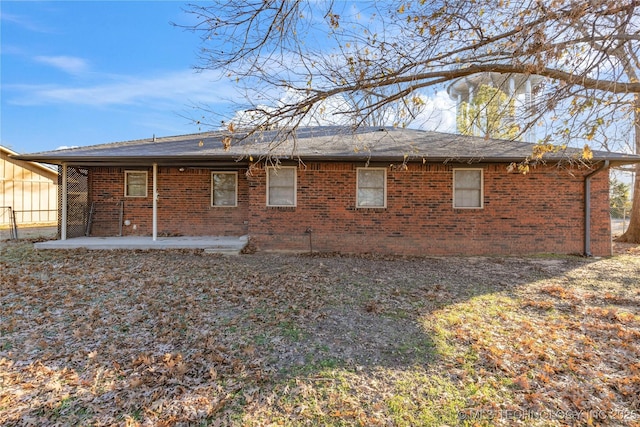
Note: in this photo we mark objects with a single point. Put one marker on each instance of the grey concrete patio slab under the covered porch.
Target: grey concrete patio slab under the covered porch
(229, 245)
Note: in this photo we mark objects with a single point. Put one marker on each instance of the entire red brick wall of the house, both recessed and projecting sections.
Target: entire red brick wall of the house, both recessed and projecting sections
(540, 212)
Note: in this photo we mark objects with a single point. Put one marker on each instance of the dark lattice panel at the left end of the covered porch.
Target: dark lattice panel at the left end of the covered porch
(77, 201)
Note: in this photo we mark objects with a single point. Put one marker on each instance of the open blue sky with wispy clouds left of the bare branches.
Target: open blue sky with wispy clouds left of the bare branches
(89, 72)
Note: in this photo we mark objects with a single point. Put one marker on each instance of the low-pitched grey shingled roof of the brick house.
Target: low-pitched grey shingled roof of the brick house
(309, 144)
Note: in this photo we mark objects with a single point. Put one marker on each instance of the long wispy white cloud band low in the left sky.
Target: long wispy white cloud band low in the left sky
(168, 89)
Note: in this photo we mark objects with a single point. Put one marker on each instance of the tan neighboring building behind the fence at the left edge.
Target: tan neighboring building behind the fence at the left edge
(30, 189)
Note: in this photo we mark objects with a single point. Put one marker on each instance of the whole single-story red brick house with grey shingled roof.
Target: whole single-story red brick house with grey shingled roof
(396, 191)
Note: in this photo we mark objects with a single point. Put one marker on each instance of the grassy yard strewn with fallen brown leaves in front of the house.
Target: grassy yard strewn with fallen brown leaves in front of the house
(184, 337)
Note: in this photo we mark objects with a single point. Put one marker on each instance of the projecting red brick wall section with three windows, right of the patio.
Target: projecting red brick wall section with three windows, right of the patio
(540, 212)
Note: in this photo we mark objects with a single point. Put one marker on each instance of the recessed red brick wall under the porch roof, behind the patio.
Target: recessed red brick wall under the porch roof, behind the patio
(184, 205)
